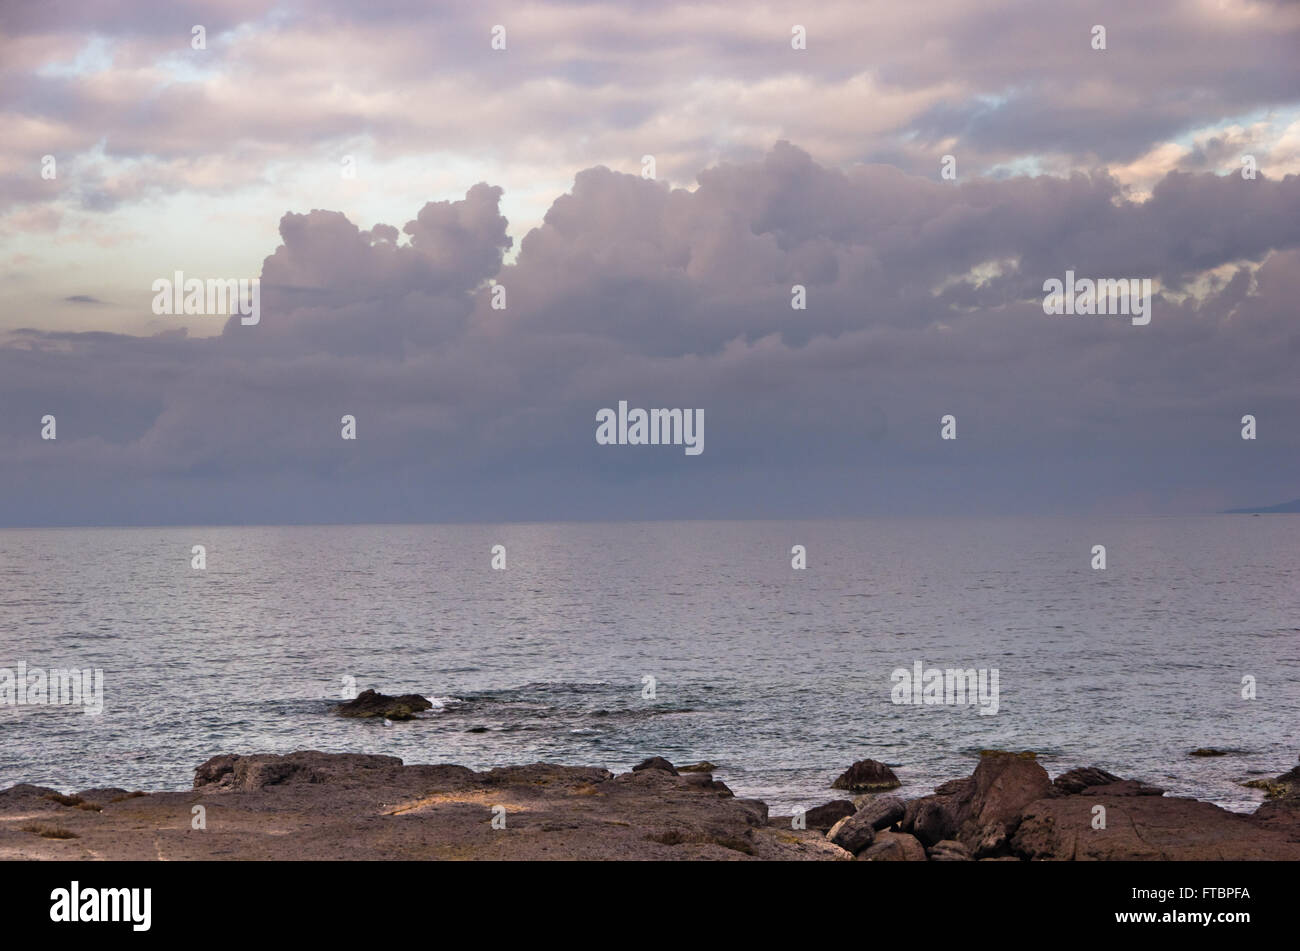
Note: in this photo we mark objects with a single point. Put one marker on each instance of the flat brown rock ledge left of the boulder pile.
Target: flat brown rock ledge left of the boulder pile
(349, 806)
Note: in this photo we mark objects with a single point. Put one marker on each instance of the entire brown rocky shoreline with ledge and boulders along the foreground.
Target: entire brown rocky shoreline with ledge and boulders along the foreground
(314, 806)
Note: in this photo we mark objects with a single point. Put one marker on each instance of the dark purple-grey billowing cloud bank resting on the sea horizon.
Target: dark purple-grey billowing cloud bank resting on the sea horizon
(924, 299)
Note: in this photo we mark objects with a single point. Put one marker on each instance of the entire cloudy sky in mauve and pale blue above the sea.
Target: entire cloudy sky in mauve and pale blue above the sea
(476, 225)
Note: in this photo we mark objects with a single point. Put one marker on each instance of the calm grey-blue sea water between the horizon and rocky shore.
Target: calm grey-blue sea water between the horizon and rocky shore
(781, 678)
